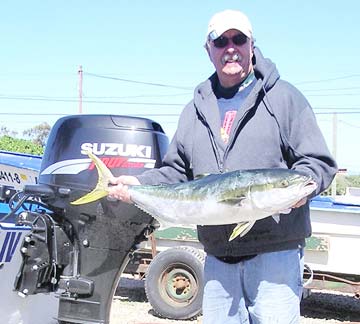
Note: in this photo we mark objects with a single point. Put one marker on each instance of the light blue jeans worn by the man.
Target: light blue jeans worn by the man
(266, 289)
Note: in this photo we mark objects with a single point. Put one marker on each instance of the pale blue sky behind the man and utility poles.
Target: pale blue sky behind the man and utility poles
(313, 43)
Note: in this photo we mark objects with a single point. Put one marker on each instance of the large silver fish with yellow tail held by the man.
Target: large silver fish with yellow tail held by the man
(238, 197)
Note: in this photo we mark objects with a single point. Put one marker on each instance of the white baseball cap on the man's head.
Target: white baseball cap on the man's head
(228, 19)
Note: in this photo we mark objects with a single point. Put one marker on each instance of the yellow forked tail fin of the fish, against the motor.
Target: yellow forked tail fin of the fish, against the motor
(101, 189)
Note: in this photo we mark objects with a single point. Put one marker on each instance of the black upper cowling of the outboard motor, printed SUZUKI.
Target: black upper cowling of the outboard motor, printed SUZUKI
(127, 145)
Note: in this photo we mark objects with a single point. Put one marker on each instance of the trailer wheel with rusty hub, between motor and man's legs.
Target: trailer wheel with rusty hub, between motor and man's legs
(174, 283)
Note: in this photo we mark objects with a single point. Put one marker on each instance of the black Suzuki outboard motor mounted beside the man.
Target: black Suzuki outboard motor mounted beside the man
(81, 251)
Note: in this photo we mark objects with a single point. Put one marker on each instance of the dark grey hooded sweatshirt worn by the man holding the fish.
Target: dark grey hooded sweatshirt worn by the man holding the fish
(275, 127)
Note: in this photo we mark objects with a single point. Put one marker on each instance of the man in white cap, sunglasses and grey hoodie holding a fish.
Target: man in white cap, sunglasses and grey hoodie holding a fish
(245, 117)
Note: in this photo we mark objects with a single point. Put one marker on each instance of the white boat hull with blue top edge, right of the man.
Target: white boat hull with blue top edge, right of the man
(331, 251)
